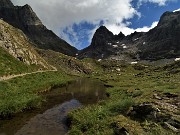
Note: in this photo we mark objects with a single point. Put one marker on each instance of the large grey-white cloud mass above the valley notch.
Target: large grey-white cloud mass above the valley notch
(60, 14)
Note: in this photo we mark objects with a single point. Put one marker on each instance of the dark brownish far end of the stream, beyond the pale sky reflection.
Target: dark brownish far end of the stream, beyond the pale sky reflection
(85, 90)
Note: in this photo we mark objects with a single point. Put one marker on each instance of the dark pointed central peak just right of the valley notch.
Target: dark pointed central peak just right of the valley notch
(103, 44)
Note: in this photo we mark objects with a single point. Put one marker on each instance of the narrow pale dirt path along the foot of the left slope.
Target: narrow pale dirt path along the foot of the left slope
(4, 78)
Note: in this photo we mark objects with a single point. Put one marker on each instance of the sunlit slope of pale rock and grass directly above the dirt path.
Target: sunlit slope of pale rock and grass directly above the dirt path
(17, 53)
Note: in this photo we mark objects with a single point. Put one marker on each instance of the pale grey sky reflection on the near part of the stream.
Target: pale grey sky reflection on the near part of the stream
(51, 122)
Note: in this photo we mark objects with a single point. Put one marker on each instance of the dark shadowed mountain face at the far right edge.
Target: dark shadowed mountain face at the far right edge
(163, 41)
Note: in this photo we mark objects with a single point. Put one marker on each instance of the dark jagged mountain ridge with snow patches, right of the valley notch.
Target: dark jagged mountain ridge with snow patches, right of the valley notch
(161, 42)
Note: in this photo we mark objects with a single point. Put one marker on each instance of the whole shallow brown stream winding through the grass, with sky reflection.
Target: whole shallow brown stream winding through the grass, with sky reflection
(51, 118)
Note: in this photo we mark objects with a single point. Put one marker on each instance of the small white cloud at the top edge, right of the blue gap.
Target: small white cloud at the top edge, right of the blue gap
(159, 2)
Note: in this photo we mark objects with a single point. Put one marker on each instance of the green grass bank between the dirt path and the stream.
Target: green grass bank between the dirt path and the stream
(22, 93)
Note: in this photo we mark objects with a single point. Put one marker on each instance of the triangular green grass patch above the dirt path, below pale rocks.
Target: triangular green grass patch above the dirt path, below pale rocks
(9, 65)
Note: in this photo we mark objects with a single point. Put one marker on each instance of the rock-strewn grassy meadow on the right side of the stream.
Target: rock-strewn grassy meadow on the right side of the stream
(132, 86)
